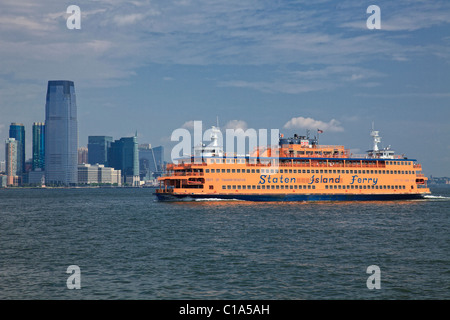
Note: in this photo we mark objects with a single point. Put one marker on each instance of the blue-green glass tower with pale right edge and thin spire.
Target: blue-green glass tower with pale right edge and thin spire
(123, 155)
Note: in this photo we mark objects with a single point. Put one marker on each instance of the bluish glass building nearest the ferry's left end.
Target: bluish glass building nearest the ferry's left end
(151, 161)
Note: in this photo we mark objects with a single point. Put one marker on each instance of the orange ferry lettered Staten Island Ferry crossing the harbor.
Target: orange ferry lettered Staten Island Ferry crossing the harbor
(297, 169)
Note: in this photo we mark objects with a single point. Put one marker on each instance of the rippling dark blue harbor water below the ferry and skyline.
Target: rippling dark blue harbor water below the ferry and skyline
(129, 246)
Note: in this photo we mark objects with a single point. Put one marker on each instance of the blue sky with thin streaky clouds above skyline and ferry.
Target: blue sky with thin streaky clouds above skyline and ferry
(152, 67)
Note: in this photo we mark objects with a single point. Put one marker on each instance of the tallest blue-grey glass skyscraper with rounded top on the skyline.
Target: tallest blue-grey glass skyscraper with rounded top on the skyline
(61, 134)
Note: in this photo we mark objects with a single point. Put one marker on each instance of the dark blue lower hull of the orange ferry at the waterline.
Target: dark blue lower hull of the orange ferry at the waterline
(289, 197)
